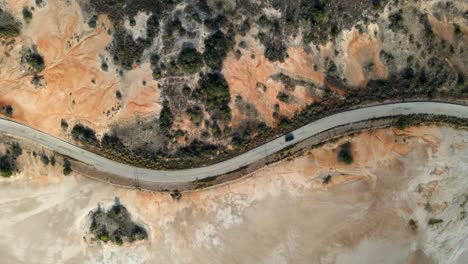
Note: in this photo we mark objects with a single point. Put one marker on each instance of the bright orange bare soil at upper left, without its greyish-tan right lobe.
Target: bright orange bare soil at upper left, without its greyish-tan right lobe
(71, 51)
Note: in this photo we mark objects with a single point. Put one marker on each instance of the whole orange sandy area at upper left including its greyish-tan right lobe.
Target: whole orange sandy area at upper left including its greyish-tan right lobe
(76, 88)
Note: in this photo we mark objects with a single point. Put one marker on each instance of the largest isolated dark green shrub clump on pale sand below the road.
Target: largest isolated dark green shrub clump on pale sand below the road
(115, 225)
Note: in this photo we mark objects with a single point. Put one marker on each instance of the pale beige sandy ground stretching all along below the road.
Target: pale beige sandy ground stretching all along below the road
(281, 214)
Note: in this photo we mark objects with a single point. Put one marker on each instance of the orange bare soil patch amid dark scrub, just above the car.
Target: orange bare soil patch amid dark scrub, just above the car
(250, 78)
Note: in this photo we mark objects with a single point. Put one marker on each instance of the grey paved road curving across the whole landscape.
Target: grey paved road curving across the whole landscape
(178, 176)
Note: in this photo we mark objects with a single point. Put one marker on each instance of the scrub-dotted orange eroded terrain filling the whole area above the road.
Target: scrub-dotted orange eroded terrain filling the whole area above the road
(180, 83)
